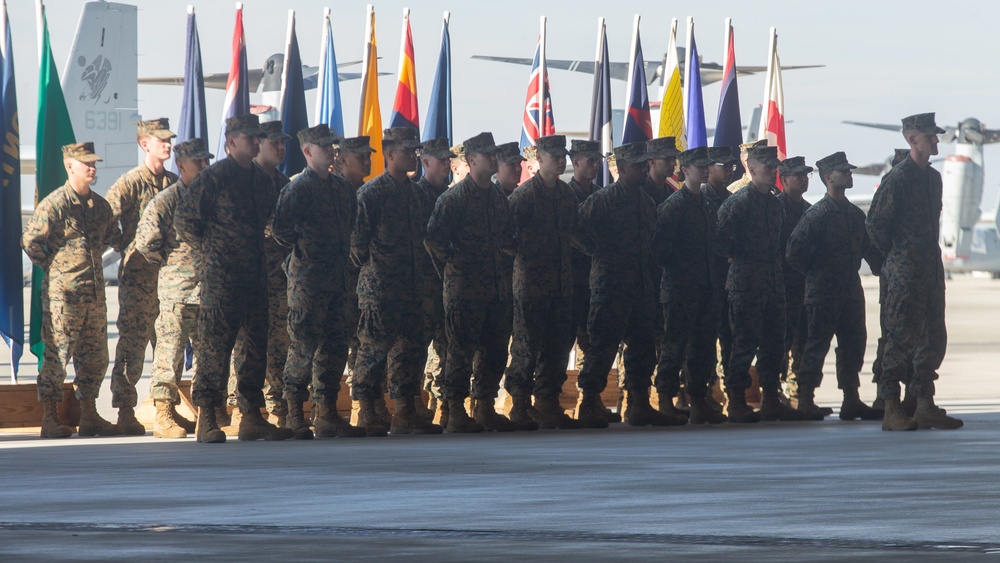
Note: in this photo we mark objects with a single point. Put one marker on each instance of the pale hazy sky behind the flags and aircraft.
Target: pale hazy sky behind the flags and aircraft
(884, 60)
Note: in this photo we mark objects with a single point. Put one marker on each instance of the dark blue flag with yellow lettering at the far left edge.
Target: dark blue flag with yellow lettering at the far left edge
(11, 272)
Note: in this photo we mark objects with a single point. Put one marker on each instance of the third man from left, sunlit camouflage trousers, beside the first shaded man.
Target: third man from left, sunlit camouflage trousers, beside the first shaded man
(178, 288)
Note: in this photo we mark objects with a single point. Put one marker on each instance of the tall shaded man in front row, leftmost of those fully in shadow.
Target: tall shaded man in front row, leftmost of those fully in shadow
(224, 213)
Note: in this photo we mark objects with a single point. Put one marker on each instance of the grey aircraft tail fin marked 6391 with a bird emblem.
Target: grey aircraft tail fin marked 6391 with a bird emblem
(101, 86)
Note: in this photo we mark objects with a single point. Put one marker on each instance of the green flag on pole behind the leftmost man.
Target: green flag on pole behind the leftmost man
(54, 130)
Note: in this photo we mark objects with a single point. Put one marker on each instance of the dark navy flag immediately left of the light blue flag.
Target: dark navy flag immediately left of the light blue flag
(294, 116)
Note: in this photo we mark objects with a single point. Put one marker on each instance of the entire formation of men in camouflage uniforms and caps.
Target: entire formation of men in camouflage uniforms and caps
(281, 285)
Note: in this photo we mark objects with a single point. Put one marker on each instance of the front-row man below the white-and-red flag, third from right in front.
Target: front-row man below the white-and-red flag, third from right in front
(749, 234)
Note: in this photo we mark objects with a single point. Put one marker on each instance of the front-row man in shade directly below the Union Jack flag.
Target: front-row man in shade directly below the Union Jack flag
(545, 213)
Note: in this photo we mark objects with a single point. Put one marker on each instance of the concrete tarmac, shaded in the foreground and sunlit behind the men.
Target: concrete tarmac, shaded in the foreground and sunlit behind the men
(821, 491)
